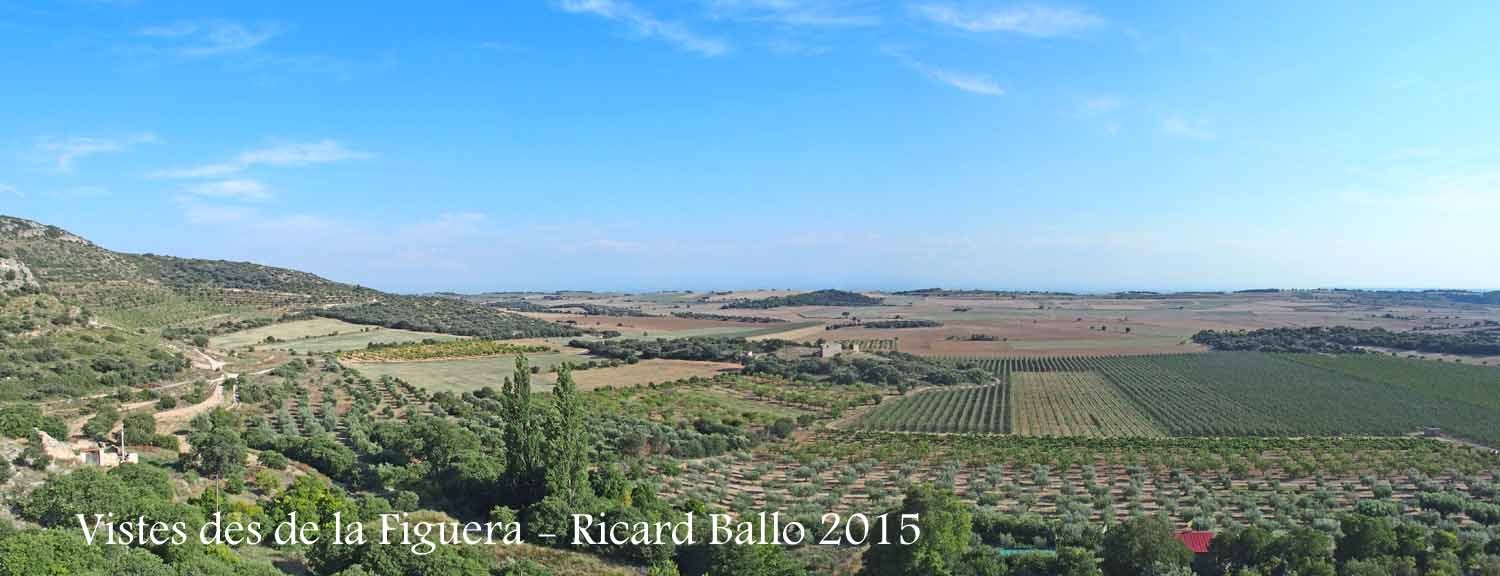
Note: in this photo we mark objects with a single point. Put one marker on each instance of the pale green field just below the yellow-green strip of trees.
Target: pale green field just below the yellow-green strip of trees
(464, 376)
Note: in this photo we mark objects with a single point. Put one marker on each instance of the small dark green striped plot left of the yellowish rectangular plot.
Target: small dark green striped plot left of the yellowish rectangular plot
(977, 409)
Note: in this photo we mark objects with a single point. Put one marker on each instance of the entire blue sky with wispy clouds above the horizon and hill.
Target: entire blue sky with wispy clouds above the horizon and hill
(638, 145)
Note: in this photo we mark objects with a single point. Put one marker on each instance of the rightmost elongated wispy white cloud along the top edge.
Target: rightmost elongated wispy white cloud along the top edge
(1030, 20)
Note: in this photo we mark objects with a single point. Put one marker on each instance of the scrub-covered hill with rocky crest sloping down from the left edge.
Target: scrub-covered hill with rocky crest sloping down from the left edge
(190, 296)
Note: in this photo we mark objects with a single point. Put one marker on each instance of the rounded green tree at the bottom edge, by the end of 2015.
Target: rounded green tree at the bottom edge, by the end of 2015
(946, 529)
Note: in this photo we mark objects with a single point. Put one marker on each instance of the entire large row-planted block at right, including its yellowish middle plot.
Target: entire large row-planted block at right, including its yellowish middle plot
(1220, 395)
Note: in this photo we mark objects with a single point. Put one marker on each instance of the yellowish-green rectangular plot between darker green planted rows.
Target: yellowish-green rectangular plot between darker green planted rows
(1075, 404)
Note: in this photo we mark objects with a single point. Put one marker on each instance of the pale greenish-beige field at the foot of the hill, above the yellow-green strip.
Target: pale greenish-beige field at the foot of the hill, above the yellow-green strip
(320, 335)
